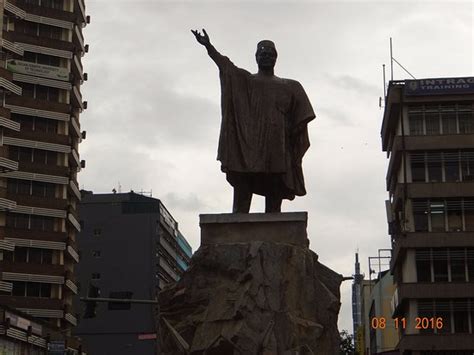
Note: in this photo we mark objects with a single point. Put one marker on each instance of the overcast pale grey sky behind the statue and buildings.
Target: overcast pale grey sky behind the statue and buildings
(154, 116)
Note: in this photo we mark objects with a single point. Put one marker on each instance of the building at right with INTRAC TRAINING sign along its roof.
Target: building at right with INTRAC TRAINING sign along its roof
(428, 134)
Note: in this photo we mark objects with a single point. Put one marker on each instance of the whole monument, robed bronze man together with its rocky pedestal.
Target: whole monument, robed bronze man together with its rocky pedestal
(254, 286)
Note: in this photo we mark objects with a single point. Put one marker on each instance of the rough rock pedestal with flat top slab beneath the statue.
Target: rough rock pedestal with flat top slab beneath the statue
(253, 287)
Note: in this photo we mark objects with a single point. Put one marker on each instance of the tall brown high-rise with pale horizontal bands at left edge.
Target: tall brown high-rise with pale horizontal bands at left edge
(40, 79)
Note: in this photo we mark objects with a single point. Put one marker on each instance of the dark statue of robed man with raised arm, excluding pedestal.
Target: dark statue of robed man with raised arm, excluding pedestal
(264, 131)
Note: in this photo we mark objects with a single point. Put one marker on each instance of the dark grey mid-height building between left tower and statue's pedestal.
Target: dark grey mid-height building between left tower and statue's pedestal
(130, 247)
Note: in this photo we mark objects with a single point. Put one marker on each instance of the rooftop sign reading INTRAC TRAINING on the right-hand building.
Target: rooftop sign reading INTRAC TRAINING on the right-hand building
(440, 86)
